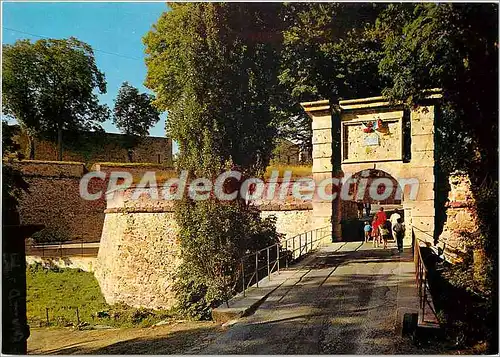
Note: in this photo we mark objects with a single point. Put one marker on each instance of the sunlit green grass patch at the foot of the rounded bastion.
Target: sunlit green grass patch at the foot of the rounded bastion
(63, 290)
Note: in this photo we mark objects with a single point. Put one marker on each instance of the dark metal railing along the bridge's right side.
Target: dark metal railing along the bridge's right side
(421, 275)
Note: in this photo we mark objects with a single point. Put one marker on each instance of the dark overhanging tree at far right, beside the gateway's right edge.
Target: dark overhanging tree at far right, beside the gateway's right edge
(453, 47)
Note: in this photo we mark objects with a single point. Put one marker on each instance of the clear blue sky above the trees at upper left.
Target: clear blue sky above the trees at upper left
(111, 27)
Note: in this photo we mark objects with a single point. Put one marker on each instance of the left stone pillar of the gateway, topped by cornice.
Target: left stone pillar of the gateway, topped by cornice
(322, 169)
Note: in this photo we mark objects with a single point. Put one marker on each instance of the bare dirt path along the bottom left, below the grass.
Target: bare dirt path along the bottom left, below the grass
(177, 338)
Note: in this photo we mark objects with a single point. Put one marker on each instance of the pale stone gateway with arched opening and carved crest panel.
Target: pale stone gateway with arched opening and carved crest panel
(373, 134)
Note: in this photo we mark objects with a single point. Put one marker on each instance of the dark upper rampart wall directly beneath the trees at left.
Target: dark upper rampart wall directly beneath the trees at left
(90, 147)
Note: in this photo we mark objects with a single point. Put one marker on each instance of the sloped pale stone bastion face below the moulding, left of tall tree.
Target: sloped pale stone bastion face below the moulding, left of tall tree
(137, 260)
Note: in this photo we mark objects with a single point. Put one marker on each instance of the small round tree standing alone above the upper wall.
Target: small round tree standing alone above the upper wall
(133, 113)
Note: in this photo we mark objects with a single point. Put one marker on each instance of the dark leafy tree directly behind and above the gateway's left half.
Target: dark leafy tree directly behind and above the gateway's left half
(329, 52)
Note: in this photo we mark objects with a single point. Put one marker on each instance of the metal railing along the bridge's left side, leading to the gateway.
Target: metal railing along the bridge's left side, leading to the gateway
(264, 262)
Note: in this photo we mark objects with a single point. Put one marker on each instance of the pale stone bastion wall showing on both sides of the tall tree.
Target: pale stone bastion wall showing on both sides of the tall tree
(139, 252)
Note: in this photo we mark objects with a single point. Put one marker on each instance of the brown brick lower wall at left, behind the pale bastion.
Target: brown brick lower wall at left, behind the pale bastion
(53, 198)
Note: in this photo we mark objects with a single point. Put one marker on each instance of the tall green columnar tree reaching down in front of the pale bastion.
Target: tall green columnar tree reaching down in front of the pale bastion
(213, 68)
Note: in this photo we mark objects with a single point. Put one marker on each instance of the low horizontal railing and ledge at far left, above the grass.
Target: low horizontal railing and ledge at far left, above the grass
(62, 249)
